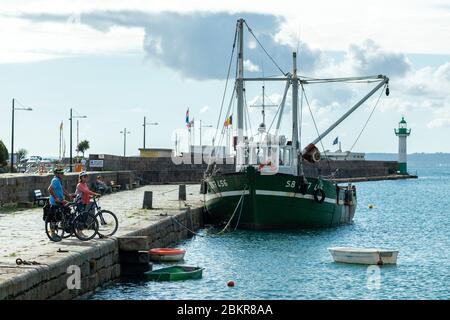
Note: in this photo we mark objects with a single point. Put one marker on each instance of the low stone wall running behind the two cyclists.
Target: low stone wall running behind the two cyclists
(20, 187)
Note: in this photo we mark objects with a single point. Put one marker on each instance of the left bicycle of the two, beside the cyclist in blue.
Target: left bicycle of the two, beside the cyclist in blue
(62, 222)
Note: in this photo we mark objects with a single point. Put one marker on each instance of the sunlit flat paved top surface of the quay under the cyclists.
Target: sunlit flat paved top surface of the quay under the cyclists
(22, 233)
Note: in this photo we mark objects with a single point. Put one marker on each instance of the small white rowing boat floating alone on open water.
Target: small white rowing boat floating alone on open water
(364, 255)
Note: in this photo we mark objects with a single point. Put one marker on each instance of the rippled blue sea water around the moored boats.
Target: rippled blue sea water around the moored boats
(412, 216)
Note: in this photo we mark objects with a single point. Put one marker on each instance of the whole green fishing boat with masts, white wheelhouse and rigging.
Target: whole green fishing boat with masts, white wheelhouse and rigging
(269, 189)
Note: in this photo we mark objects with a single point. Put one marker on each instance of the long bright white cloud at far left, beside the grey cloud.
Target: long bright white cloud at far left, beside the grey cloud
(25, 41)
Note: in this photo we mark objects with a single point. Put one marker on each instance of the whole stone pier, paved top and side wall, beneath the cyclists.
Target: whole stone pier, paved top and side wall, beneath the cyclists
(22, 236)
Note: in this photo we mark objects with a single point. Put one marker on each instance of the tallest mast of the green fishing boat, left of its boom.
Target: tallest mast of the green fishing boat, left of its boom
(240, 82)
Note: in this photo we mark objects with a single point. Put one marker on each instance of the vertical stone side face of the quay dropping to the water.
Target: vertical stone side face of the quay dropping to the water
(99, 262)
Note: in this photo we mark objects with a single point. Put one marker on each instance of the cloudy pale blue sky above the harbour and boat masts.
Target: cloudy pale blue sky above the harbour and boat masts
(116, 62)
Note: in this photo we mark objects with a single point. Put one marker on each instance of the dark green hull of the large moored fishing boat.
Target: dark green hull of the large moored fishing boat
(258, 201)
